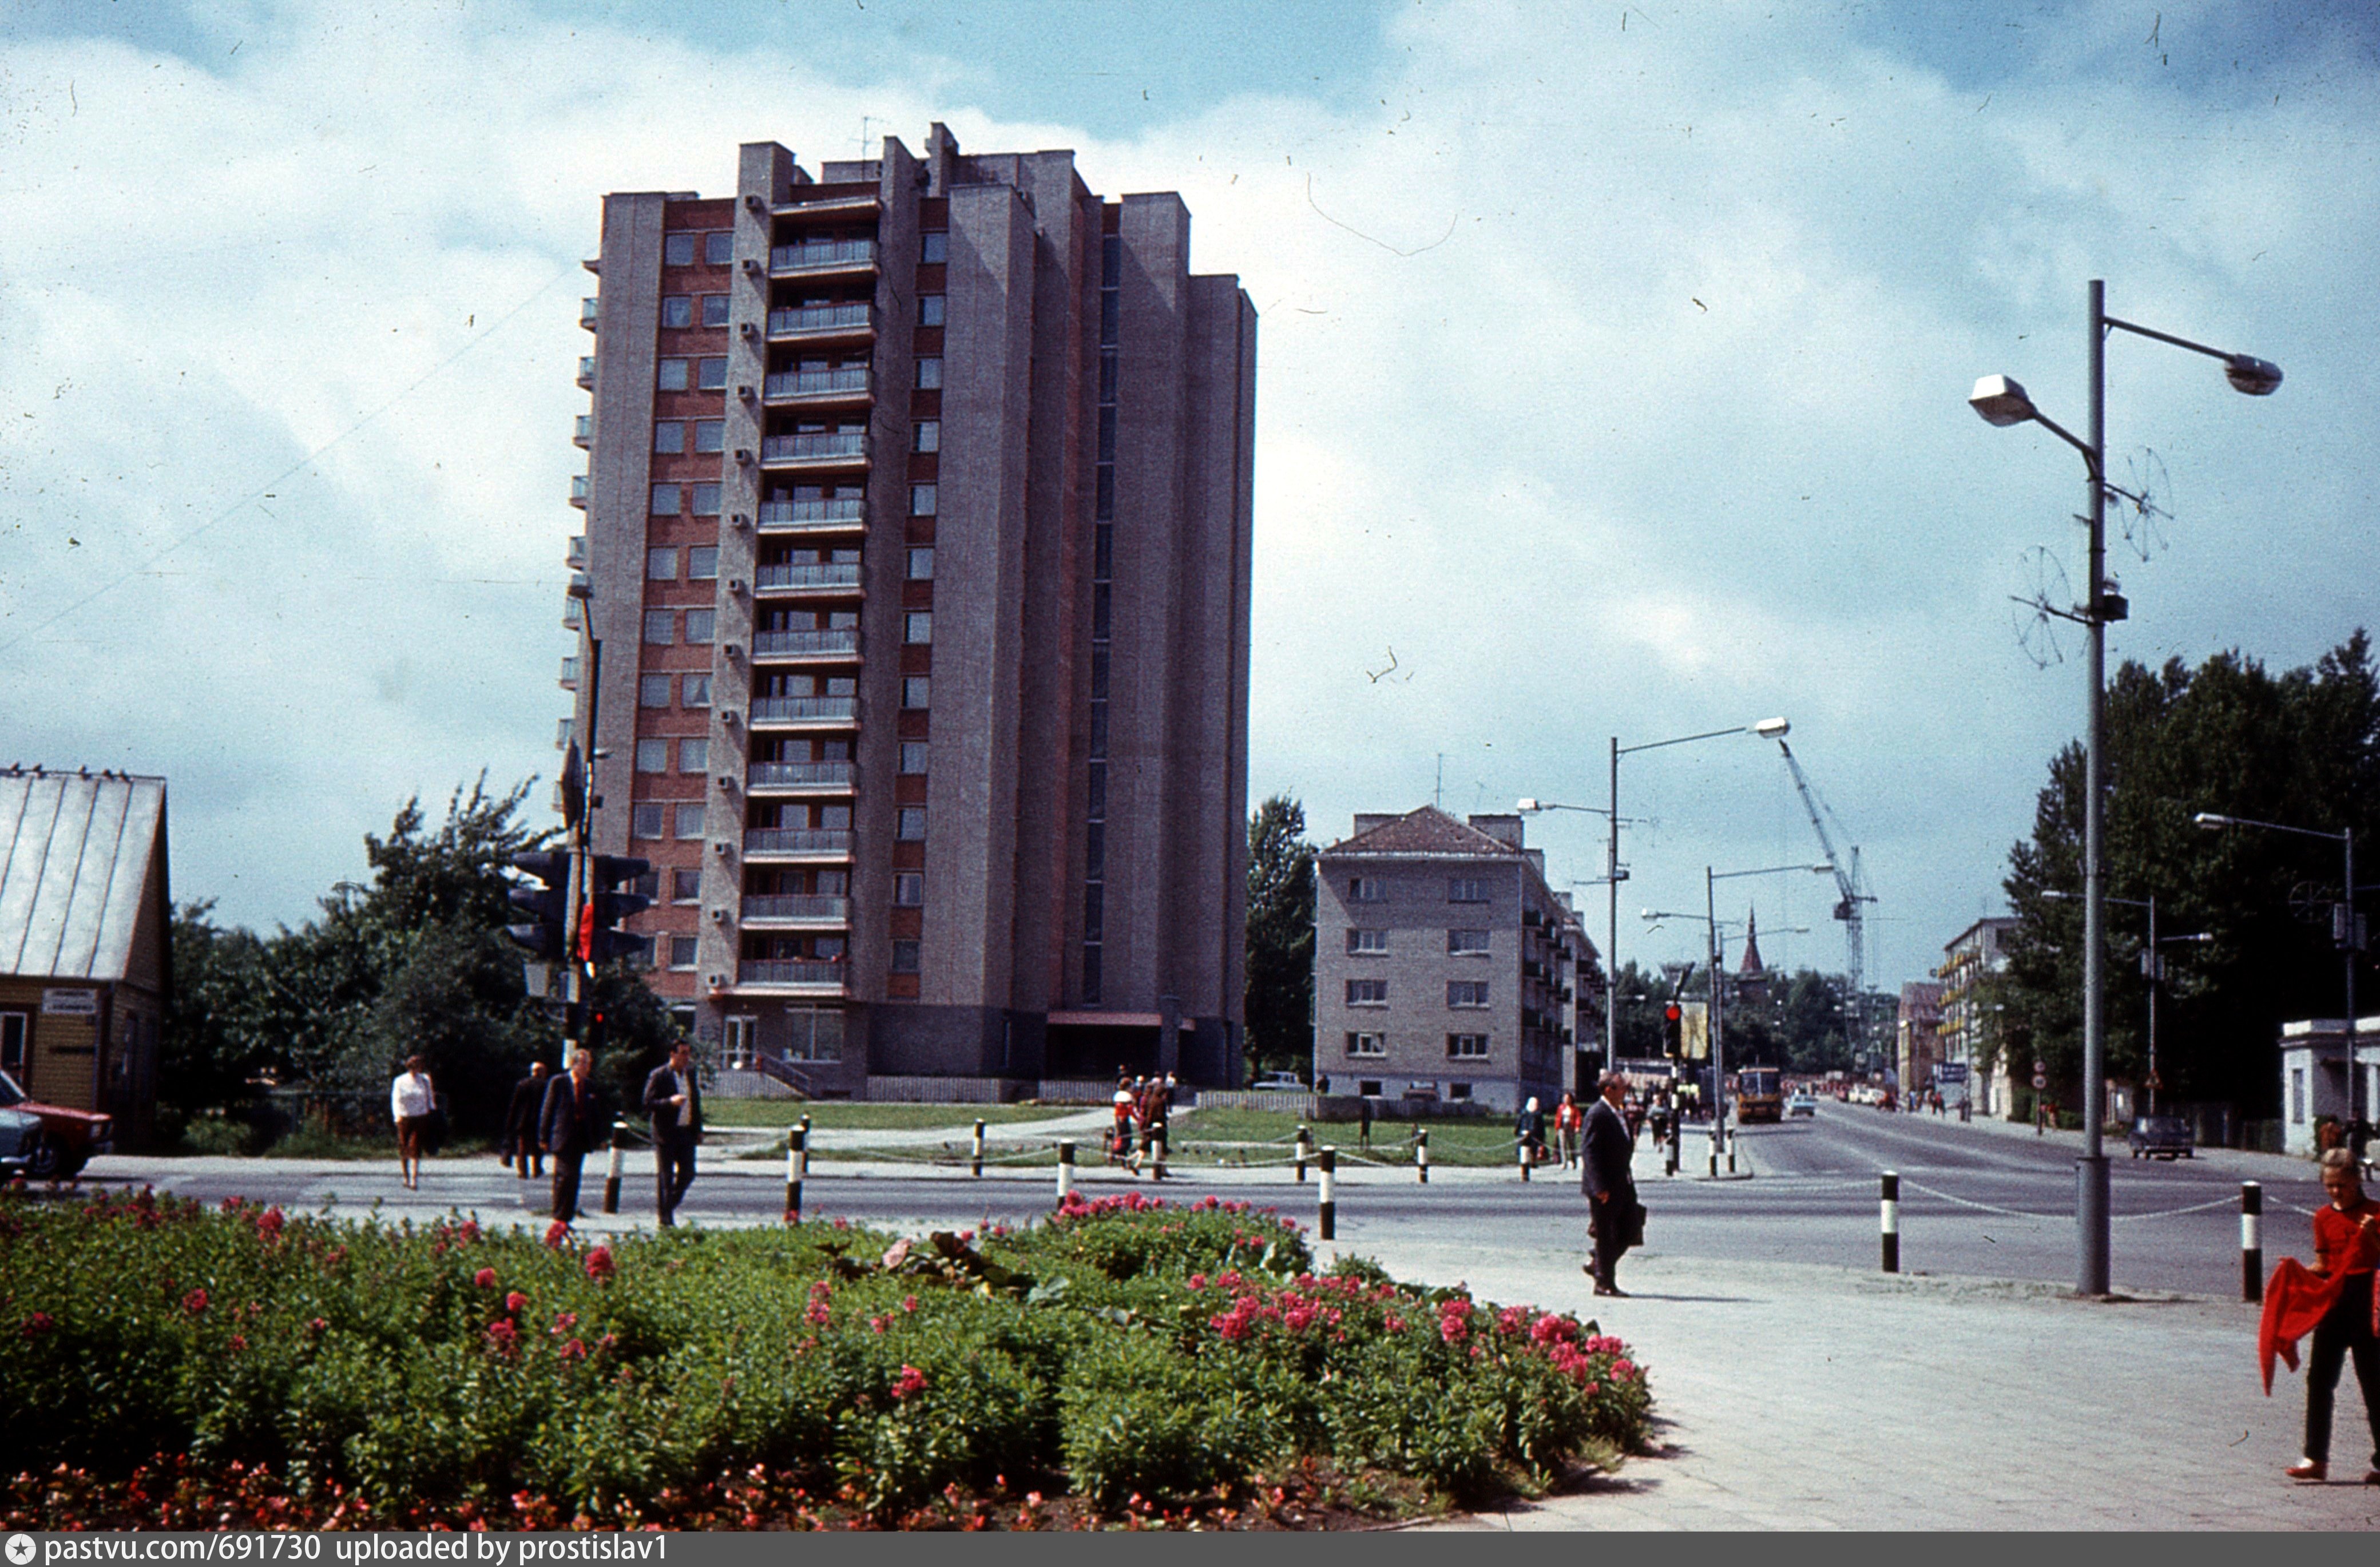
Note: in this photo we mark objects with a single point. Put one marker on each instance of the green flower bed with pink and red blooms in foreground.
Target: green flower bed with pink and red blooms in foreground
(1125, 1359)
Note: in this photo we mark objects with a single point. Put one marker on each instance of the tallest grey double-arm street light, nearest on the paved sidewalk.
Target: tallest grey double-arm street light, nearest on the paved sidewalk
(2003, 401)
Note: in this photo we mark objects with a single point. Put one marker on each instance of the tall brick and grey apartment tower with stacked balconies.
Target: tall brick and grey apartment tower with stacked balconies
(920, 554)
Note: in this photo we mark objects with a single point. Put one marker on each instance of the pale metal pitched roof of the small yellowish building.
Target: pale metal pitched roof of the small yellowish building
(75, 856)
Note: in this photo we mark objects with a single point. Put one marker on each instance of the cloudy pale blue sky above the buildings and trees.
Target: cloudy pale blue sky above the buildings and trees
(1612, 385)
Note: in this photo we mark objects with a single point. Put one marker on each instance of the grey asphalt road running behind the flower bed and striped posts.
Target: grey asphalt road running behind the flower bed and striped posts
(1979, 1201)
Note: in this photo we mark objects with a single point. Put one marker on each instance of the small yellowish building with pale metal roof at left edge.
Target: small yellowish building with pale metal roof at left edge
(84, 930)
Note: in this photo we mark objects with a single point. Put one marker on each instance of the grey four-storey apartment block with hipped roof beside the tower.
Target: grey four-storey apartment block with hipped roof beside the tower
(1446, 966)
